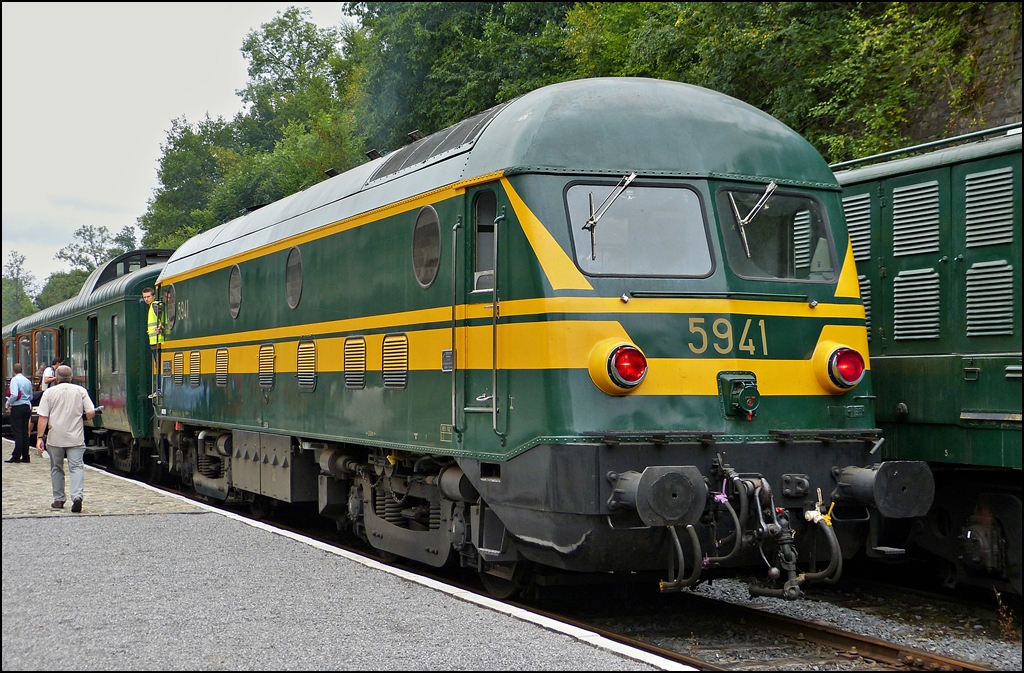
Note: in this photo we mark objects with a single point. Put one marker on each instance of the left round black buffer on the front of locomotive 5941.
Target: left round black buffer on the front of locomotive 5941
(663, 496)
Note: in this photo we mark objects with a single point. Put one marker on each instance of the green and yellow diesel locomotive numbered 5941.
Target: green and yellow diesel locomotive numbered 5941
(546, 338)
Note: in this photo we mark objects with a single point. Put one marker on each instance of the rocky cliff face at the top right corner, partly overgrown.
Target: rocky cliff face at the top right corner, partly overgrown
(996, 45)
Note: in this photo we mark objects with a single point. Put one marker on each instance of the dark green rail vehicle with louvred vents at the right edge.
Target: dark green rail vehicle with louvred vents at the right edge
(937, 241)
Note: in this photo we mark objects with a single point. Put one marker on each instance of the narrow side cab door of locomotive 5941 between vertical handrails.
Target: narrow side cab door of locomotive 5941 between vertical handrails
(482, 395)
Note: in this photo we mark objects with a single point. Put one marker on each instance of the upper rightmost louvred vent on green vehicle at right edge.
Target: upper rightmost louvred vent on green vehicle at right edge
(991, 208)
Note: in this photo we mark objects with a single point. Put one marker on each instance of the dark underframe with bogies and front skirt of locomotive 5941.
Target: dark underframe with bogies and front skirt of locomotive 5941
(438, 510)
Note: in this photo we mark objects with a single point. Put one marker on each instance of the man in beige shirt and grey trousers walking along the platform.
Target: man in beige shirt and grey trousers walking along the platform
(63, 408)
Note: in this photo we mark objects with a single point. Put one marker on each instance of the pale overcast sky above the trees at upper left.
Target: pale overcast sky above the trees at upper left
(90, 92)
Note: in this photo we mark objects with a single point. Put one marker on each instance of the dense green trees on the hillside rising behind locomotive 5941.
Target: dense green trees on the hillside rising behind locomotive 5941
(852, 78)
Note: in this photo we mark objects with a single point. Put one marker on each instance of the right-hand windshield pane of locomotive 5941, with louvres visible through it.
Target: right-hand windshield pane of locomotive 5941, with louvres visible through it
(786, 239)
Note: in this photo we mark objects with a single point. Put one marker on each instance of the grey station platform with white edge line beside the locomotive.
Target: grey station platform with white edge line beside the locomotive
(143, 579)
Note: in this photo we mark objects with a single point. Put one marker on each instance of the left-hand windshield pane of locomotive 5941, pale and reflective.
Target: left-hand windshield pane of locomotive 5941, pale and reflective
(645, 231)
